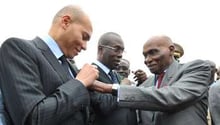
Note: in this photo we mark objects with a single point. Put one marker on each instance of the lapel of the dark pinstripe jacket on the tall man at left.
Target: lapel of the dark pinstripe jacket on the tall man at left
(47, 53)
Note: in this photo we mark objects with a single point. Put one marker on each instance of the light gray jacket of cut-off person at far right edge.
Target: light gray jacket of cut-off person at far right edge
(214, 102)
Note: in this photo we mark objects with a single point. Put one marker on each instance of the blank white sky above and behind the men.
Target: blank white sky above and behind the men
(194, 24)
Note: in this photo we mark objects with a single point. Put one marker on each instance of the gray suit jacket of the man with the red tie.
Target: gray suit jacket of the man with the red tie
(182, 100)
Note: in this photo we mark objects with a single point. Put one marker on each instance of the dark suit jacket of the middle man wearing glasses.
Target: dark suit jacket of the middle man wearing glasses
(106, 108)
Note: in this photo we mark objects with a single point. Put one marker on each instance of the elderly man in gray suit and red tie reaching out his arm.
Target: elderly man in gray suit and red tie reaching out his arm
(179, 94)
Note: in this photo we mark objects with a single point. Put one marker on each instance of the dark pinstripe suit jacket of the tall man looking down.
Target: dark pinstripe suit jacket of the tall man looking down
(34, 88)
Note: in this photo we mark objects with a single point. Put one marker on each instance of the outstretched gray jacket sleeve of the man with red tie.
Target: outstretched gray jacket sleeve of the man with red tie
(188, 86)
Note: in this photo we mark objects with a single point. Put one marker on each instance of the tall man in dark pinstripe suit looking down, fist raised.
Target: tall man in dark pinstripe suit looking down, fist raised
(37, 84)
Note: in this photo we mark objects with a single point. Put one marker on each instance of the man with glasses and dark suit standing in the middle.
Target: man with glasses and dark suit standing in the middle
(110, 49)
